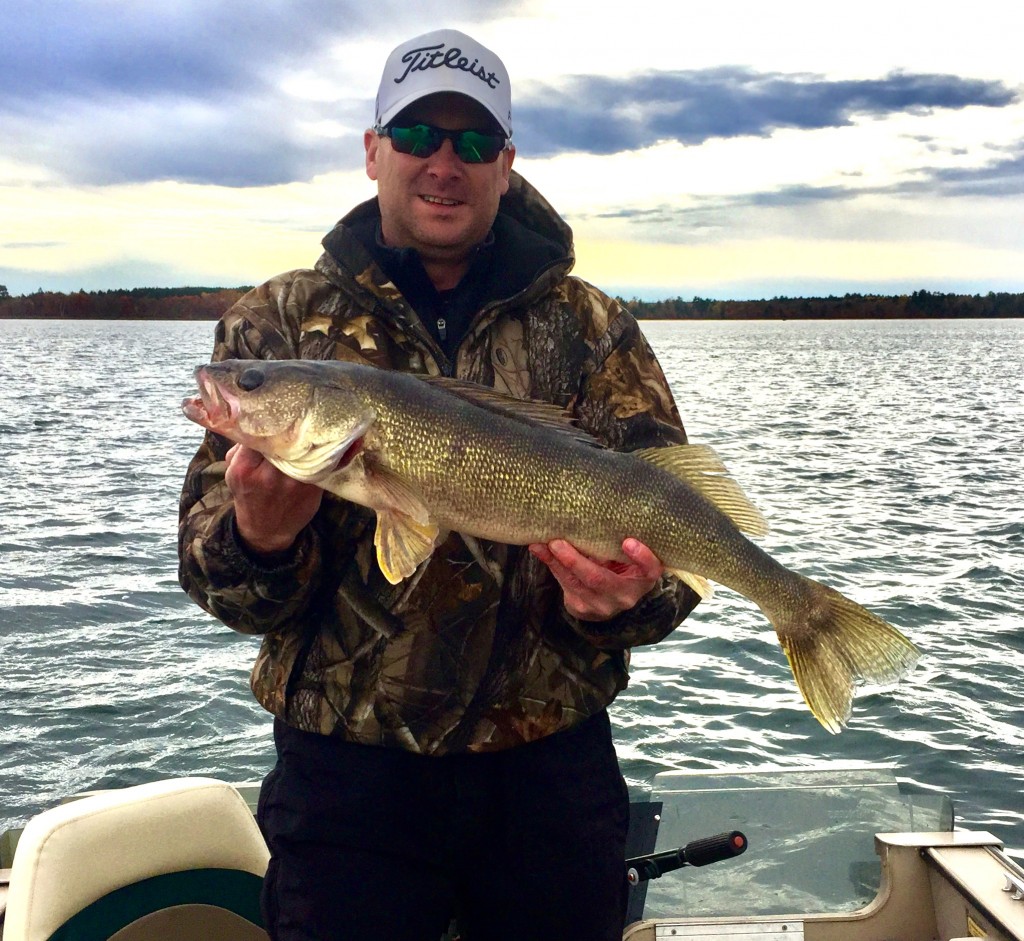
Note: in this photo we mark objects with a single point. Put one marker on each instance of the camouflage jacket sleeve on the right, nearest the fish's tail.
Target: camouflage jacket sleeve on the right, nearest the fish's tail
(625, 401)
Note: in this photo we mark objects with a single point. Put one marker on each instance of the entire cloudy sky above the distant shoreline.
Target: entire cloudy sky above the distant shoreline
(730, 150)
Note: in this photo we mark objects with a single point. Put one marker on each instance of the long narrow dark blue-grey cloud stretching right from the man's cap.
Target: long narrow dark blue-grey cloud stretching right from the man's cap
(602, 115)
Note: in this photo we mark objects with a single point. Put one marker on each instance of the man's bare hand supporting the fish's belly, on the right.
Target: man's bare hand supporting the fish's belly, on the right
(598, 591)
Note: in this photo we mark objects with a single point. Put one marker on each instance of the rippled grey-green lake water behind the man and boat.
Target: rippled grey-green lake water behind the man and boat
(886, 456)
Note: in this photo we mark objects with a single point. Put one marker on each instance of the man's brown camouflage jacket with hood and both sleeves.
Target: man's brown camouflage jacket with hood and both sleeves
(457, 664)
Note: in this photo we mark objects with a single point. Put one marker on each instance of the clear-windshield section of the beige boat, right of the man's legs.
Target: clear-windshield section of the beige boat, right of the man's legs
(837, 853)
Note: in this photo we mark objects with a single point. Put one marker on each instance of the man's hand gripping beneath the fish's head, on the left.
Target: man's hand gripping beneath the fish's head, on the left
(271, 508)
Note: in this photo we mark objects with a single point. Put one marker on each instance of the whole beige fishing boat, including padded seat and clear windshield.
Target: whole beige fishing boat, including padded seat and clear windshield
(831, 853)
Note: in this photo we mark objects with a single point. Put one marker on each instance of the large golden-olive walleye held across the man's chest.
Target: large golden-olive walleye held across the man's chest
(435, 455)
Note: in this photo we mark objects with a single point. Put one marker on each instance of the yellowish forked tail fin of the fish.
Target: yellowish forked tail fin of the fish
(833, 646)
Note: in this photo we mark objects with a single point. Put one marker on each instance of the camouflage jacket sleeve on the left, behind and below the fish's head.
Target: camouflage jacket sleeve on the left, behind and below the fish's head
(250, 595)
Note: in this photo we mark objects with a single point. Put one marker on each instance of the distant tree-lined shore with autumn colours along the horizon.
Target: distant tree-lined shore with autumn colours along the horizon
(210, 304)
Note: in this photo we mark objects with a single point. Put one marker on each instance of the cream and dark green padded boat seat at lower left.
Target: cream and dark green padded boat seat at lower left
(180, 860)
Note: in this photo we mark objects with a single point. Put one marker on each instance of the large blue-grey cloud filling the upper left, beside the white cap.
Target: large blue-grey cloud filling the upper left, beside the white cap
(104, 93)
